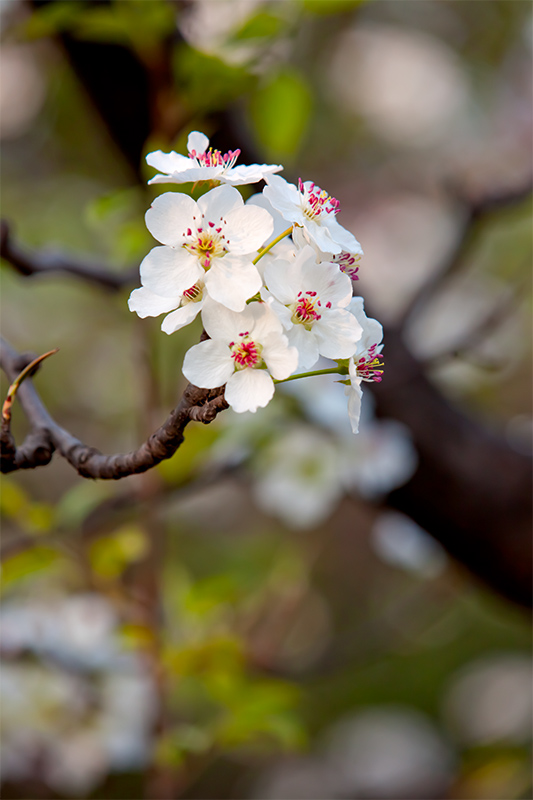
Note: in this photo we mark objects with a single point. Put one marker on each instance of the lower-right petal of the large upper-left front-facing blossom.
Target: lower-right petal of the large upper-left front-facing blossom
(232, 280)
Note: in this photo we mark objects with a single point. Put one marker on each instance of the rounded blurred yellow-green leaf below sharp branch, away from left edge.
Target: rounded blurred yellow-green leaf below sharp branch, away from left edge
(110, 555)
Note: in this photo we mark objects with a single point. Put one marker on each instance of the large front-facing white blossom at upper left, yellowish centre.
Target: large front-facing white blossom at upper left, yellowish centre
(208, 244)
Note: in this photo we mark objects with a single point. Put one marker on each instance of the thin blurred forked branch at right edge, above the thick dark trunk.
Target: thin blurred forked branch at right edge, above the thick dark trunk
(475, 213)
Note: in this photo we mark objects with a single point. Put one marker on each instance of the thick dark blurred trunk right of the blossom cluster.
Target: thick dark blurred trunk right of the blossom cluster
(471, 490)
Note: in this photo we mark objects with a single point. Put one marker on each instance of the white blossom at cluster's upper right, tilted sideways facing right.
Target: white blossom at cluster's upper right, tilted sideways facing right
(312, 209)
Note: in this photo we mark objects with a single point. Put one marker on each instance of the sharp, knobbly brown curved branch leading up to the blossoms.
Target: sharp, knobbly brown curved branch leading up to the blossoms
(45, 436)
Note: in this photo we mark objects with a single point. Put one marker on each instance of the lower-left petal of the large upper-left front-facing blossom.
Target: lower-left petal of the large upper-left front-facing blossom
(169, 272)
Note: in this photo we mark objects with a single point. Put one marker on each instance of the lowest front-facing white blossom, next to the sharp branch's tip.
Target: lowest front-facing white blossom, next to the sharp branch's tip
(244, 351)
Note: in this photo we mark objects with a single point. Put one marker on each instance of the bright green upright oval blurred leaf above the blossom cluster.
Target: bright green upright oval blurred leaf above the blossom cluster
(280, 112)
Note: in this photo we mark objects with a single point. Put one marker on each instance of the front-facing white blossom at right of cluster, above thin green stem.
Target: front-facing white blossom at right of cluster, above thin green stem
(310, 300)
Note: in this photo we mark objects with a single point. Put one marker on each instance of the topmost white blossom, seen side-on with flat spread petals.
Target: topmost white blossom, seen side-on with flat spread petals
(205, 164)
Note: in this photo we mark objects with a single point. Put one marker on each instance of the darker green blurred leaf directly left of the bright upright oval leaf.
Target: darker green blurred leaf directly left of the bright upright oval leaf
(208, 82)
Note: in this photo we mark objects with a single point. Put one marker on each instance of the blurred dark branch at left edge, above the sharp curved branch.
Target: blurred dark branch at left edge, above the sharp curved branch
(31, 264)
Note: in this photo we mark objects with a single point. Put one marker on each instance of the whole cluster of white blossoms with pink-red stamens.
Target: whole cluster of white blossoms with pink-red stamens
(272, 279)
